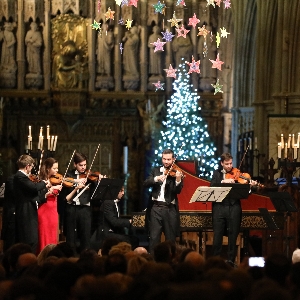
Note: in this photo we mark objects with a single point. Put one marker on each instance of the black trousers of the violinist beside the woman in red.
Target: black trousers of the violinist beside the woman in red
(78, 225)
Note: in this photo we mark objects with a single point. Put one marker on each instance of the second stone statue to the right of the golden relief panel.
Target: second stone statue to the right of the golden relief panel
(131, 53)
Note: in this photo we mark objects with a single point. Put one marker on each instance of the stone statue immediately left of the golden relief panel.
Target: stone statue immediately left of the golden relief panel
(33, 41)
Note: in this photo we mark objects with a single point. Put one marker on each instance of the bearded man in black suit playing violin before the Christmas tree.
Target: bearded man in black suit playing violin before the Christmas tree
(163, 212)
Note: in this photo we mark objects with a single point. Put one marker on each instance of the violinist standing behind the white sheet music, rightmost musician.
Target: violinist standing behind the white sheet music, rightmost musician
(227, 215)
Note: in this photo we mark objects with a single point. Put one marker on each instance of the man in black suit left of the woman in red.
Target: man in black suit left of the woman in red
(27, 195)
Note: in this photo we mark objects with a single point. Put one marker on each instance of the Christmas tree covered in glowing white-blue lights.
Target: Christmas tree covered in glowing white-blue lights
(184, 131)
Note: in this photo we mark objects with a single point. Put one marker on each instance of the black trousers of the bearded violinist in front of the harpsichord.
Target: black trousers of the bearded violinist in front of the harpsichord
(162, 219)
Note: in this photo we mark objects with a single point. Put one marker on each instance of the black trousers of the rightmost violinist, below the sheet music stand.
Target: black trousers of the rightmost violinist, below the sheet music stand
(226, 219)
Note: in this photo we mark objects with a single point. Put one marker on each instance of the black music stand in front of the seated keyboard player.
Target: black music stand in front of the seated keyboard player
(109, 188)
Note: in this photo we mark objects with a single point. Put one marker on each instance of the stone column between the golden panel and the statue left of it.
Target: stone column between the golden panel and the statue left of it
(47, 46)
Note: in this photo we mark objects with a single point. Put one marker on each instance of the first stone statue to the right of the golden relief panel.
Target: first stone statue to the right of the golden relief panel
(105, 46)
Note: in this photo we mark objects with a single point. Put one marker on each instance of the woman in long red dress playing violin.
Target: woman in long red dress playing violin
(47, 212)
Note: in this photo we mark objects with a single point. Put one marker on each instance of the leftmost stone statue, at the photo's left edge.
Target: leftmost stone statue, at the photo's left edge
(8, 62)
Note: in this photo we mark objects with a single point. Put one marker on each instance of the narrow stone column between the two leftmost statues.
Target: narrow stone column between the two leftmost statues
(21, 45)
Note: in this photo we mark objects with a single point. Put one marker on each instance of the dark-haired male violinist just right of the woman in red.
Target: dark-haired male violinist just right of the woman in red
(77, 210)
